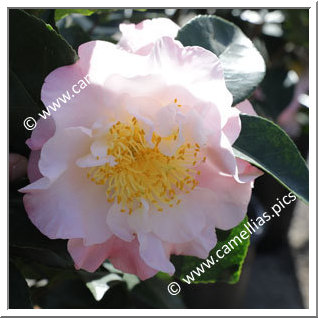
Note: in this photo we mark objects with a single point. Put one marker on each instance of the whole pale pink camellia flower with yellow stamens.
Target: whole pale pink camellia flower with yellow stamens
(139, 165)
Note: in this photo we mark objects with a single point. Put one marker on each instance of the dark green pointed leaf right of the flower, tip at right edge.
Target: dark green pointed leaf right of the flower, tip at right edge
(265, 145)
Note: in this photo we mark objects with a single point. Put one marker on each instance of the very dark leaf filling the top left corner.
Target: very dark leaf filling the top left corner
(35, 50)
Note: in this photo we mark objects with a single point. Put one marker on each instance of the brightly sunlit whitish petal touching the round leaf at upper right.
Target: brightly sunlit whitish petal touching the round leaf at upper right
(187, 67)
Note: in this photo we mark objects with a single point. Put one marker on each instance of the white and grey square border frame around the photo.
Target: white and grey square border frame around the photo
(312, 159)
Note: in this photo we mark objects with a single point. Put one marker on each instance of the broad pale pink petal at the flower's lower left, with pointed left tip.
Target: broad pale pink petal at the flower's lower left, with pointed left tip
(70, 207)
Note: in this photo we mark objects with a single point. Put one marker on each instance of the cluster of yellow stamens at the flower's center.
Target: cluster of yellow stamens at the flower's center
(142, 172)
